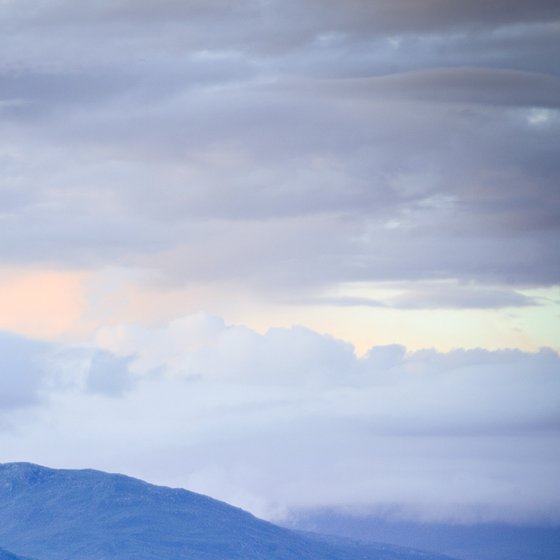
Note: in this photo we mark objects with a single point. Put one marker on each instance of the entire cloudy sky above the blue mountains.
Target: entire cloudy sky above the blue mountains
(290, 254)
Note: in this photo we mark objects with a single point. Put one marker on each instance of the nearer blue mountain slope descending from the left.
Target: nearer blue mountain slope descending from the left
(90, 515)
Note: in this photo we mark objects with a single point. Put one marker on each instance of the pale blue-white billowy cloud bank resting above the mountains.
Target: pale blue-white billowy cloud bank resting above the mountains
(293, 419)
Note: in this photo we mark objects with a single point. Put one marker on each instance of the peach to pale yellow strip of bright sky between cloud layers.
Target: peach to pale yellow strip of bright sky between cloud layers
(72, 305)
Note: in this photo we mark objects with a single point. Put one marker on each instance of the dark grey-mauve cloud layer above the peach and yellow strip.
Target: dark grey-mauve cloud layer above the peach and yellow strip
(284, 144)
